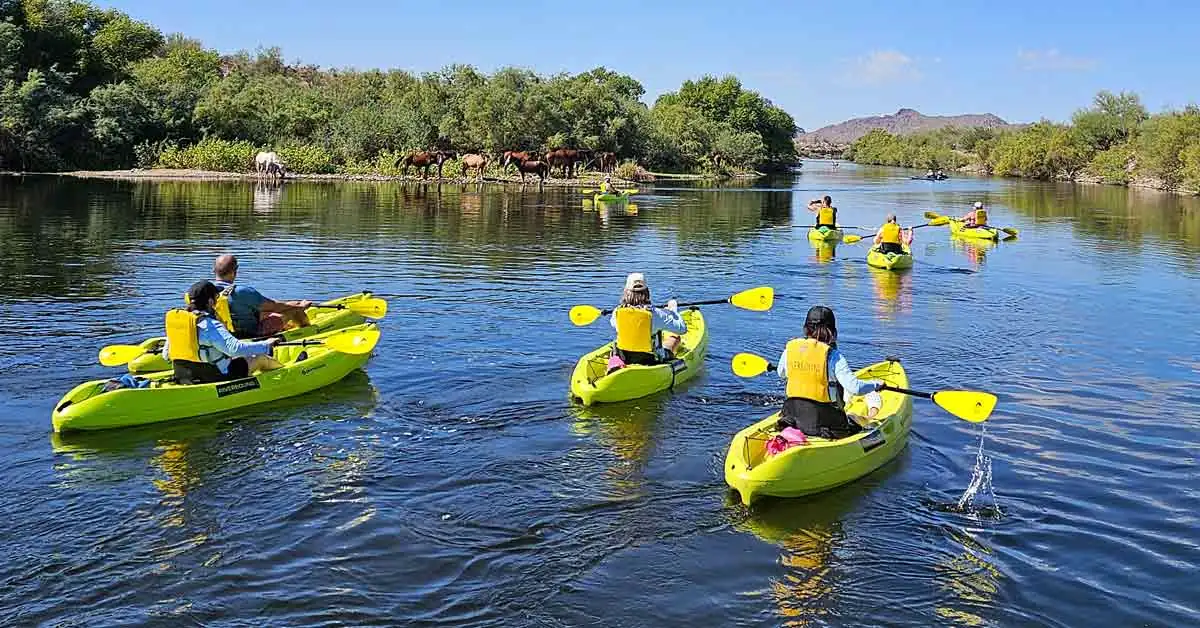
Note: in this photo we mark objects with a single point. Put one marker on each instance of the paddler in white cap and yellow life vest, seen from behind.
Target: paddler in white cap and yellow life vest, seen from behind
(640, 327)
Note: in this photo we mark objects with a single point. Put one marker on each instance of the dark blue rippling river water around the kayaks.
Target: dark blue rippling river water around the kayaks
(453, 482)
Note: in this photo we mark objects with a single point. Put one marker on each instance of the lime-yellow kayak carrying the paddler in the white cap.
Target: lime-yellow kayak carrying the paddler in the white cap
(591, 385)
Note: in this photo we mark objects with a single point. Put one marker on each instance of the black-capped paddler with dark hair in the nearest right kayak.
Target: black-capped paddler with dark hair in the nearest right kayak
(820, 381)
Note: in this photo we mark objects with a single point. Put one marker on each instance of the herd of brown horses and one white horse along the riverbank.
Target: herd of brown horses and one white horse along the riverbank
(566, 160)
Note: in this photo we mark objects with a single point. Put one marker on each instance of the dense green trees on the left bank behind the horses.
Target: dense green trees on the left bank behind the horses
(91, 88)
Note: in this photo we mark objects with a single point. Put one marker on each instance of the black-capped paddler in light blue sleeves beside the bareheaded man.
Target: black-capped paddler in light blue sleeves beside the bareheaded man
(203, 351)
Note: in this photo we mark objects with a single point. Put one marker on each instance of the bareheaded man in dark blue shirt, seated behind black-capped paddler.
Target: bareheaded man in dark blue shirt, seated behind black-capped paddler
(254, 315)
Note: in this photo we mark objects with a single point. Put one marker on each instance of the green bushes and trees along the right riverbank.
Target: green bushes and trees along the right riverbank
(1114, 141)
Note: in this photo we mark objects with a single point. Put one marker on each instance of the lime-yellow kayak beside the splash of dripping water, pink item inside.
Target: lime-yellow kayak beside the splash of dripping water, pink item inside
(821, 465)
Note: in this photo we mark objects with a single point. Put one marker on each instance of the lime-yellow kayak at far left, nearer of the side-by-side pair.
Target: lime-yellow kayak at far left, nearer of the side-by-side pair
(305, 369)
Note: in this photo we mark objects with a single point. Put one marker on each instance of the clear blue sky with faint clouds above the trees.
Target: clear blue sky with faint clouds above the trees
(821, 62)
